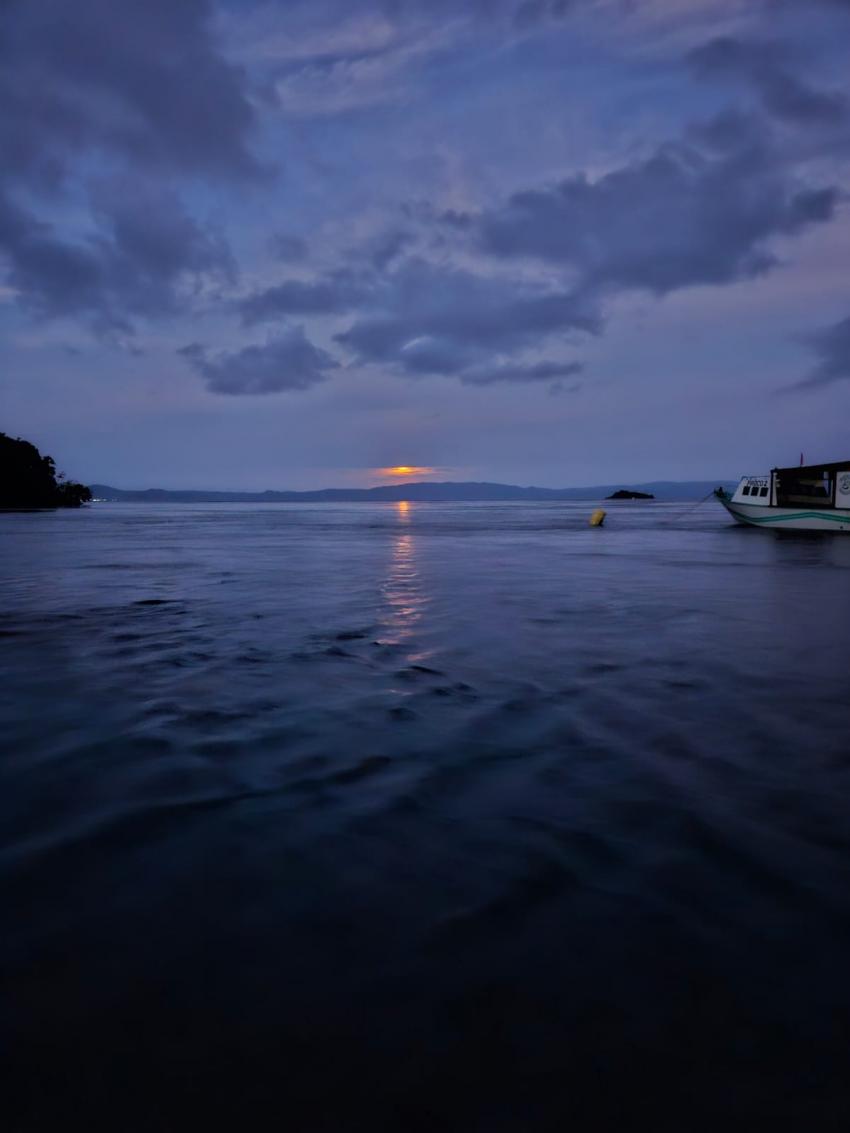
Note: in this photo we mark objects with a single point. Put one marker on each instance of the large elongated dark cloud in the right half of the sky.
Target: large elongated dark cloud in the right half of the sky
(678, 219)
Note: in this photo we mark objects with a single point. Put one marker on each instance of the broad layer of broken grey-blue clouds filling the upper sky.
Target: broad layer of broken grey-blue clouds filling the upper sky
(225, 171)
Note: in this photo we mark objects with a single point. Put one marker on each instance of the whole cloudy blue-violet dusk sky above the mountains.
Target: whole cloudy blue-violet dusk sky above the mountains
(299, 245)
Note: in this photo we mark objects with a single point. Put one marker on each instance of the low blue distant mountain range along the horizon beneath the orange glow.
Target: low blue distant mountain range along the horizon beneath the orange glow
(422, 491)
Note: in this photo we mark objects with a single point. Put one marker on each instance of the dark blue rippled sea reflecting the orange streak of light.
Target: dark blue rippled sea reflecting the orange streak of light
(423, 817)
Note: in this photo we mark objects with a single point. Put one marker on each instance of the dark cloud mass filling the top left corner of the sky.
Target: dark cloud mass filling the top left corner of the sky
(143, 82)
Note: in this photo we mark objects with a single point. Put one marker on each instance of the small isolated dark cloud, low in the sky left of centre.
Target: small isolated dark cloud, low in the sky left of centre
(290, 362)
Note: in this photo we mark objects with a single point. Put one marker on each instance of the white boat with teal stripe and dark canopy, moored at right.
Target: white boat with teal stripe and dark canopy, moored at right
(812, 498)
